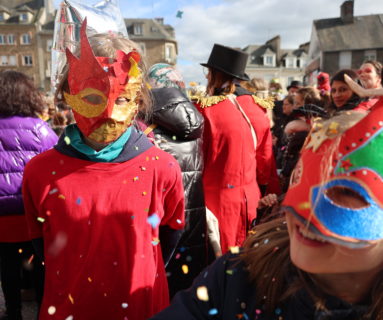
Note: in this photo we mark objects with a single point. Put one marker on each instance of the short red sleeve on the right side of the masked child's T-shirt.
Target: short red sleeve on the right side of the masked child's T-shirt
(174, 200)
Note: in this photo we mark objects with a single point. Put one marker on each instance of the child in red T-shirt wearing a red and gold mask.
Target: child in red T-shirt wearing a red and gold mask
(107, 204)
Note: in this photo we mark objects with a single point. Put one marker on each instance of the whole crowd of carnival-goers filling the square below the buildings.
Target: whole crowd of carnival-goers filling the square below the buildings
(127, 190)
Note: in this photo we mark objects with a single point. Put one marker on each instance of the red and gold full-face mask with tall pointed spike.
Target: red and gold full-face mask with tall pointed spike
(103, 91)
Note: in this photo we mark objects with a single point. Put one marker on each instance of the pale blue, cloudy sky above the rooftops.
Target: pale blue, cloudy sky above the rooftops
(236, 23)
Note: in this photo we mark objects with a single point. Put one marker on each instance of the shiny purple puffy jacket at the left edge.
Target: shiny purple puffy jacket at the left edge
(21, 138)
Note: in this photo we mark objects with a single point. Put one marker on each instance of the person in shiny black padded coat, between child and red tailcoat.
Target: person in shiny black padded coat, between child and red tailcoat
(177, 128)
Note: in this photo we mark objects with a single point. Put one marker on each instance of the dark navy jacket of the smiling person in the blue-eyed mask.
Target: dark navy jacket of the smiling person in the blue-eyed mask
(231, 296)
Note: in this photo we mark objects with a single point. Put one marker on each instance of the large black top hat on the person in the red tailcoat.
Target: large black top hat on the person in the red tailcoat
(228, 60)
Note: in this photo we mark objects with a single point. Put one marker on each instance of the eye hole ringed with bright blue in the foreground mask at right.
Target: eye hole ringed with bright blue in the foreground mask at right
(346, 197)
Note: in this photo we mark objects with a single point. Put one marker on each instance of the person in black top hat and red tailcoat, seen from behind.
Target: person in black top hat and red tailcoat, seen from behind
(237, 146)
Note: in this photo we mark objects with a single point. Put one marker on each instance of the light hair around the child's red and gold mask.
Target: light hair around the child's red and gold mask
(106, 45)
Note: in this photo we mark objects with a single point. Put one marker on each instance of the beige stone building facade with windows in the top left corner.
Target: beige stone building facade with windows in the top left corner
(26, 31)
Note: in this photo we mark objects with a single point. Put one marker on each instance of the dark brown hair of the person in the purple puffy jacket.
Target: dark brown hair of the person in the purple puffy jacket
(18, 95)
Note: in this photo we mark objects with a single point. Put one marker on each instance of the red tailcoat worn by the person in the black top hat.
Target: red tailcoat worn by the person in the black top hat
(233, 168)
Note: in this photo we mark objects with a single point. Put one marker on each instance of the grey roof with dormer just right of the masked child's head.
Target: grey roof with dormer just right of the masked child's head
(151, 30)
